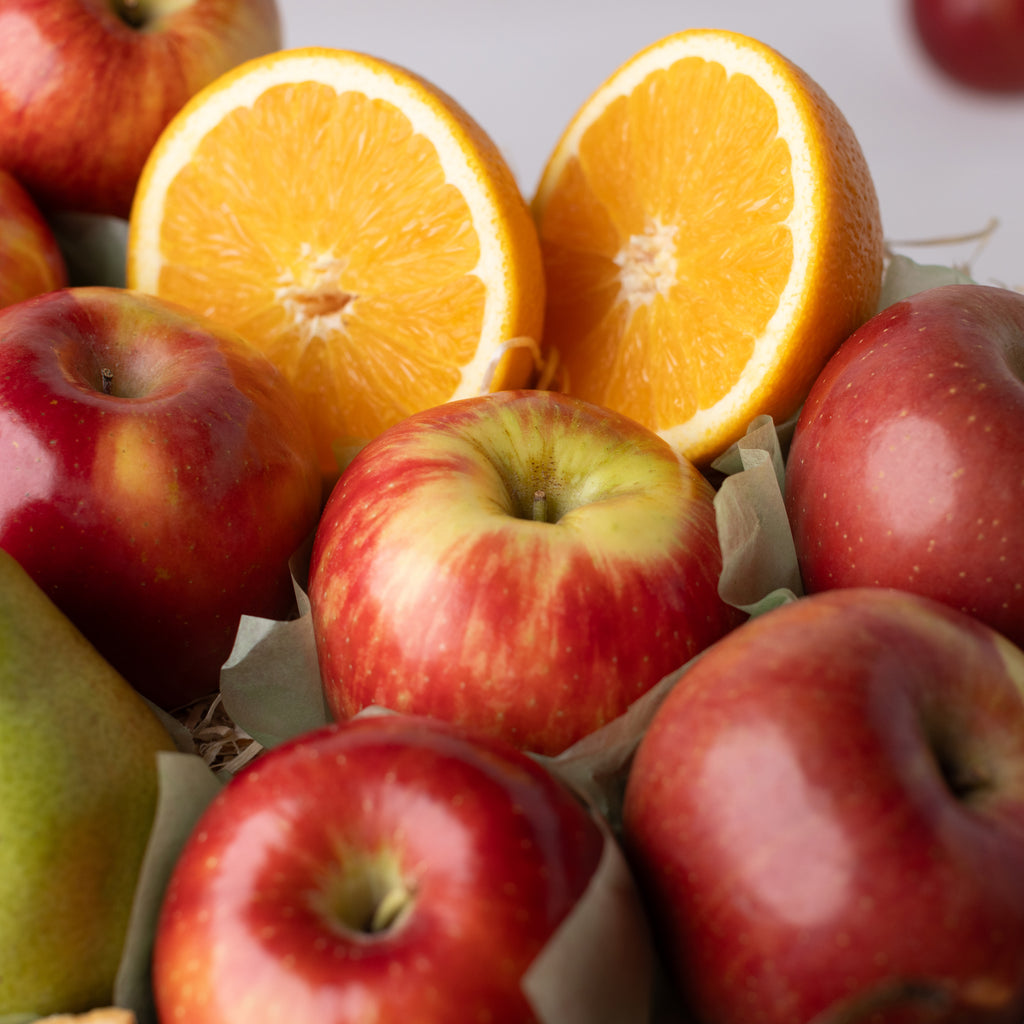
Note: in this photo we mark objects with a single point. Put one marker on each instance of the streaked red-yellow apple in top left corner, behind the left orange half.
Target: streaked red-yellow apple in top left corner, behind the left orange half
(89, 87)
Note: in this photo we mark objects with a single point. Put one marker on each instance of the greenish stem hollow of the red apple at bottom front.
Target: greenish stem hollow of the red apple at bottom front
(367, 895)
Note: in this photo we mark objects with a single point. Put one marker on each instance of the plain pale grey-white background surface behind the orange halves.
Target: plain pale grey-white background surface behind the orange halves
(946, 162)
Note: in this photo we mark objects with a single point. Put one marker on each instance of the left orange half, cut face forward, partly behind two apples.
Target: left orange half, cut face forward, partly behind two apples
(354, 223)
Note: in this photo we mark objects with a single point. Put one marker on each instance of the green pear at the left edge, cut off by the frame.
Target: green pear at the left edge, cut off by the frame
(78, 796)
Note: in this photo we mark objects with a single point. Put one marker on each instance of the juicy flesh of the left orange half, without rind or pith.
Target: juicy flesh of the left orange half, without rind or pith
(344, 255)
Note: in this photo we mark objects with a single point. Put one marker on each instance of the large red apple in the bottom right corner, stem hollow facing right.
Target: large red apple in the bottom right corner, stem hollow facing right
(827, 815)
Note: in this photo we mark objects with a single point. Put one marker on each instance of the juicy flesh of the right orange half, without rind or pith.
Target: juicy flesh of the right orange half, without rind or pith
(673, 219)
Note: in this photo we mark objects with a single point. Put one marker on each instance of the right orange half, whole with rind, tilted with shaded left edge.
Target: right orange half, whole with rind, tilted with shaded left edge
(711, 233)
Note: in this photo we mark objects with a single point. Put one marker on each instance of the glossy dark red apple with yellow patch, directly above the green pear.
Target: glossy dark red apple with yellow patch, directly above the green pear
(156, 476)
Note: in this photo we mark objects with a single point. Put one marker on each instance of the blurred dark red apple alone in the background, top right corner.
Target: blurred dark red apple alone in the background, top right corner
(977, 44)
